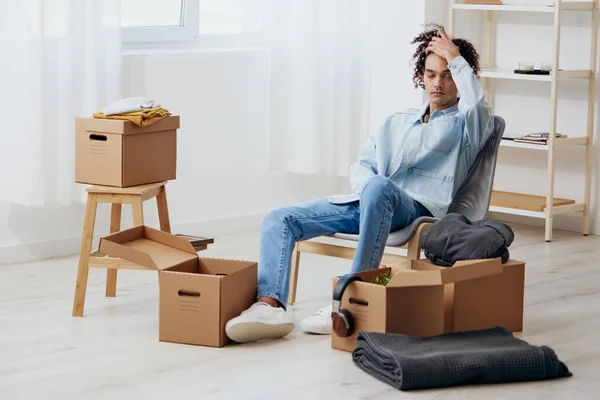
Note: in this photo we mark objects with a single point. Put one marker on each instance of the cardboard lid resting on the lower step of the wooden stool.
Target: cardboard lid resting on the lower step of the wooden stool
(148, 247)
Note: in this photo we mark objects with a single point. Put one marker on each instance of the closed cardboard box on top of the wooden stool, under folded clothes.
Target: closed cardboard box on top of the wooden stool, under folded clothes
(119, 153)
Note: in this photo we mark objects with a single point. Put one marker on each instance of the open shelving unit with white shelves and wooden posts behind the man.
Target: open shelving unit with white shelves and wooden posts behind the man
(524, 204)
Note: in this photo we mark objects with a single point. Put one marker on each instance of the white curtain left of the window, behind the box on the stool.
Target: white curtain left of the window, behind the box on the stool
(60, 59)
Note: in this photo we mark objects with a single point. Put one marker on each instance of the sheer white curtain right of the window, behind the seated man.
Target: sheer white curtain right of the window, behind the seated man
(320, 75)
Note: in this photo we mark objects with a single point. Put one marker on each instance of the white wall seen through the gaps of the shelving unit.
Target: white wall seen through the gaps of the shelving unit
(525, 105)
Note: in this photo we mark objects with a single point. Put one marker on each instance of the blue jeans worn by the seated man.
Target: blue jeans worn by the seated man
(383, 207)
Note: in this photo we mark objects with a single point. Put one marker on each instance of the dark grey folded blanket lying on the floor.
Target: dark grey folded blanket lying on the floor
(483, 356)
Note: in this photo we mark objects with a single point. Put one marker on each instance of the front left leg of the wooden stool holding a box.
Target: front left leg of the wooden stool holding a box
(84, 254)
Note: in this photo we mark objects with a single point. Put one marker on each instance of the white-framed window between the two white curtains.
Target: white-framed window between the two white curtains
(219, 21)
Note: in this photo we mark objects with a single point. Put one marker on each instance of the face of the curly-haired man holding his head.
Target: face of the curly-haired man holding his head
(439, 85)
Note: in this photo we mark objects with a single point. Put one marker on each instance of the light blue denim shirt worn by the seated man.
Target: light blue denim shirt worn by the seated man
(429, 161)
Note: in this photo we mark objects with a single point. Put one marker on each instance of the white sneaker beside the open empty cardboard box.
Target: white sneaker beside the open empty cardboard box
(260, 321)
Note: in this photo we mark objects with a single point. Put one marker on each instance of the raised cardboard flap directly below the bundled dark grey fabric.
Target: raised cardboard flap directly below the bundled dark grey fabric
(461, 270)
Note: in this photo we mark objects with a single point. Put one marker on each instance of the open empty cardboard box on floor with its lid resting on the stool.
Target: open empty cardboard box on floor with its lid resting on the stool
(197, 295)
